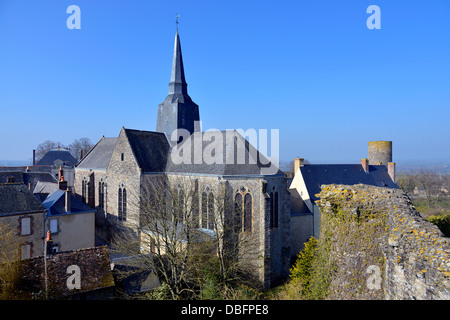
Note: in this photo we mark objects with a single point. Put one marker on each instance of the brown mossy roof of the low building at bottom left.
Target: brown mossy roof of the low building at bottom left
(83, 274)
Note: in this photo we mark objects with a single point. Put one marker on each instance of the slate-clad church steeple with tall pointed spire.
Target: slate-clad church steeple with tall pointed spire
(178, 111)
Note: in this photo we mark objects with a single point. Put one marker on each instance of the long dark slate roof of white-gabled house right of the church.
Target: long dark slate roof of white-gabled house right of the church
(349, 174)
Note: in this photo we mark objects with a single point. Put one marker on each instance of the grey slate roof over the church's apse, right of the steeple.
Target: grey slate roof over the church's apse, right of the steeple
(232, 145)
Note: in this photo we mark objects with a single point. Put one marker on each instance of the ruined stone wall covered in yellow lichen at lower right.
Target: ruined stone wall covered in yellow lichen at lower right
(377, 246)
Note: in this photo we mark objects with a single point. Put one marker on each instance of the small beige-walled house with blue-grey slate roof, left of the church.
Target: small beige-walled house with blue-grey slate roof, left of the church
(70, 221)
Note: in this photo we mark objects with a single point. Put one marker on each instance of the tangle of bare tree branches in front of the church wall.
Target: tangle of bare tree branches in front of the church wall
(178, 241)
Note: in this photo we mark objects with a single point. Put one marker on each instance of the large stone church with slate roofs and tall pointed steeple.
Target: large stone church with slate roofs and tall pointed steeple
(118, 169)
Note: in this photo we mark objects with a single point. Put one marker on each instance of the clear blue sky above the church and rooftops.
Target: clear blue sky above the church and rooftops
(311, 69)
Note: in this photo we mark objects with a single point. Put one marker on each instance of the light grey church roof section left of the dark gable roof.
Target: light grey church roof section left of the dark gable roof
(99, 155)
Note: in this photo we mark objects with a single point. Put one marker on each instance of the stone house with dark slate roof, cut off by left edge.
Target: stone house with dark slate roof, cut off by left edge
(23, 213)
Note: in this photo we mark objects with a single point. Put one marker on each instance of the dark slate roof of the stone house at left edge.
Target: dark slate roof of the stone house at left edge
(17, 198)
